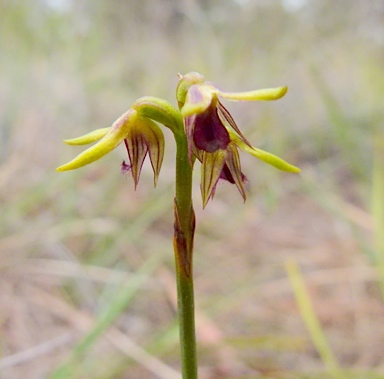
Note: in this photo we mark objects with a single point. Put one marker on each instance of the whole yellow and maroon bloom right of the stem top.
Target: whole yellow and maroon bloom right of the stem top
(213, 136)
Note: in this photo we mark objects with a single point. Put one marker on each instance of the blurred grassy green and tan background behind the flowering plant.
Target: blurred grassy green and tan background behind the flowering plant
(87, 287)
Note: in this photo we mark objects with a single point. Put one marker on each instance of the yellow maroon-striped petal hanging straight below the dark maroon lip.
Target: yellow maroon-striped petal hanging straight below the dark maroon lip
(211, 168)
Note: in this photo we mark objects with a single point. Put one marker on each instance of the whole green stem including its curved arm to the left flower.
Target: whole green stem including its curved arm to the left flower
(184, 227)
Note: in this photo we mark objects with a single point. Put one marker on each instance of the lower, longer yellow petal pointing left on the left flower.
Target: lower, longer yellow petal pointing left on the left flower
(113, 138)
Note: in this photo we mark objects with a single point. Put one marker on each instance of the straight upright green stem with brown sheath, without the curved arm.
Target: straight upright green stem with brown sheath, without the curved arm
(184, 229)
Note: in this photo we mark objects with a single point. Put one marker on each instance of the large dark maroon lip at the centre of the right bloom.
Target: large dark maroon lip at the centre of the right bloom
(209, 133)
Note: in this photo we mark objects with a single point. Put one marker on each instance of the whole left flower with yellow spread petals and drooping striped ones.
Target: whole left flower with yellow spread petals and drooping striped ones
(141, 136)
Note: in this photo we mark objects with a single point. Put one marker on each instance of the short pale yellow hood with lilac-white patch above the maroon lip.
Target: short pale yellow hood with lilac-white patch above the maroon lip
(199, 98)
